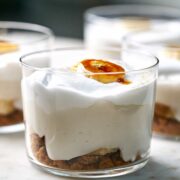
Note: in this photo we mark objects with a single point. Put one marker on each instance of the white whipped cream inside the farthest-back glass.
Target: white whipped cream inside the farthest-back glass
(111, 31)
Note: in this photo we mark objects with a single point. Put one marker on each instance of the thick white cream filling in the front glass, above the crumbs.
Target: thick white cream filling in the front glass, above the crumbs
(76, 114)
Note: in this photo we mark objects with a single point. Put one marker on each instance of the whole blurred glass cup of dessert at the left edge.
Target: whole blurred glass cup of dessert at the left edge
(16, 39)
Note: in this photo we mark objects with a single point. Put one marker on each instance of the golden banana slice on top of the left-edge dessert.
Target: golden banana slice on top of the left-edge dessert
(6, 47)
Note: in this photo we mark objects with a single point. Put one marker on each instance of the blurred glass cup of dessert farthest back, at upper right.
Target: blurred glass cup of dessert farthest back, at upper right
(105, 26)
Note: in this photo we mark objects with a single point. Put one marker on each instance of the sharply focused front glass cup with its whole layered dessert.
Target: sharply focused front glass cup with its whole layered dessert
(88, 115)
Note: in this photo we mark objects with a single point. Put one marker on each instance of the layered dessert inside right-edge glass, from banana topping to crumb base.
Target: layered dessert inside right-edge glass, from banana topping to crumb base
(167, 111)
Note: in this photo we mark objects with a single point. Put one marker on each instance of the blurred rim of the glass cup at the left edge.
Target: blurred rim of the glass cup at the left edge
(17, 25)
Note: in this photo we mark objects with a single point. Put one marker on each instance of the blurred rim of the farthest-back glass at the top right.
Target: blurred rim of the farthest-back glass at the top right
(143, 9)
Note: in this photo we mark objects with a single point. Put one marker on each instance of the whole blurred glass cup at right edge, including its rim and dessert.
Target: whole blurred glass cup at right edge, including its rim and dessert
(163, 42)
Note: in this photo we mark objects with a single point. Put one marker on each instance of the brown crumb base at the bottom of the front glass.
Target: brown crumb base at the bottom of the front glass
(90, 161)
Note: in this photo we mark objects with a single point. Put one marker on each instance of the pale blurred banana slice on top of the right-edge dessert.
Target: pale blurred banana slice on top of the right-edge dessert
(172, 51)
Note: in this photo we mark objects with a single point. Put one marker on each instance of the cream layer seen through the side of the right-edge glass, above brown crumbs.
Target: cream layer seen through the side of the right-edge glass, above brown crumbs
(168, 92)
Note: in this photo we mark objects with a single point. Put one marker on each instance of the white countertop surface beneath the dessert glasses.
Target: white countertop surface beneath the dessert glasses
(164, 163)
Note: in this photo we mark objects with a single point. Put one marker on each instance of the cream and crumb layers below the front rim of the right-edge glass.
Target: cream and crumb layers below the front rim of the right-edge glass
(167, 111)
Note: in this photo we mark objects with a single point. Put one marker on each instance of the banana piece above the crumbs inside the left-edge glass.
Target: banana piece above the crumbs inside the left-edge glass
(6, 107)
